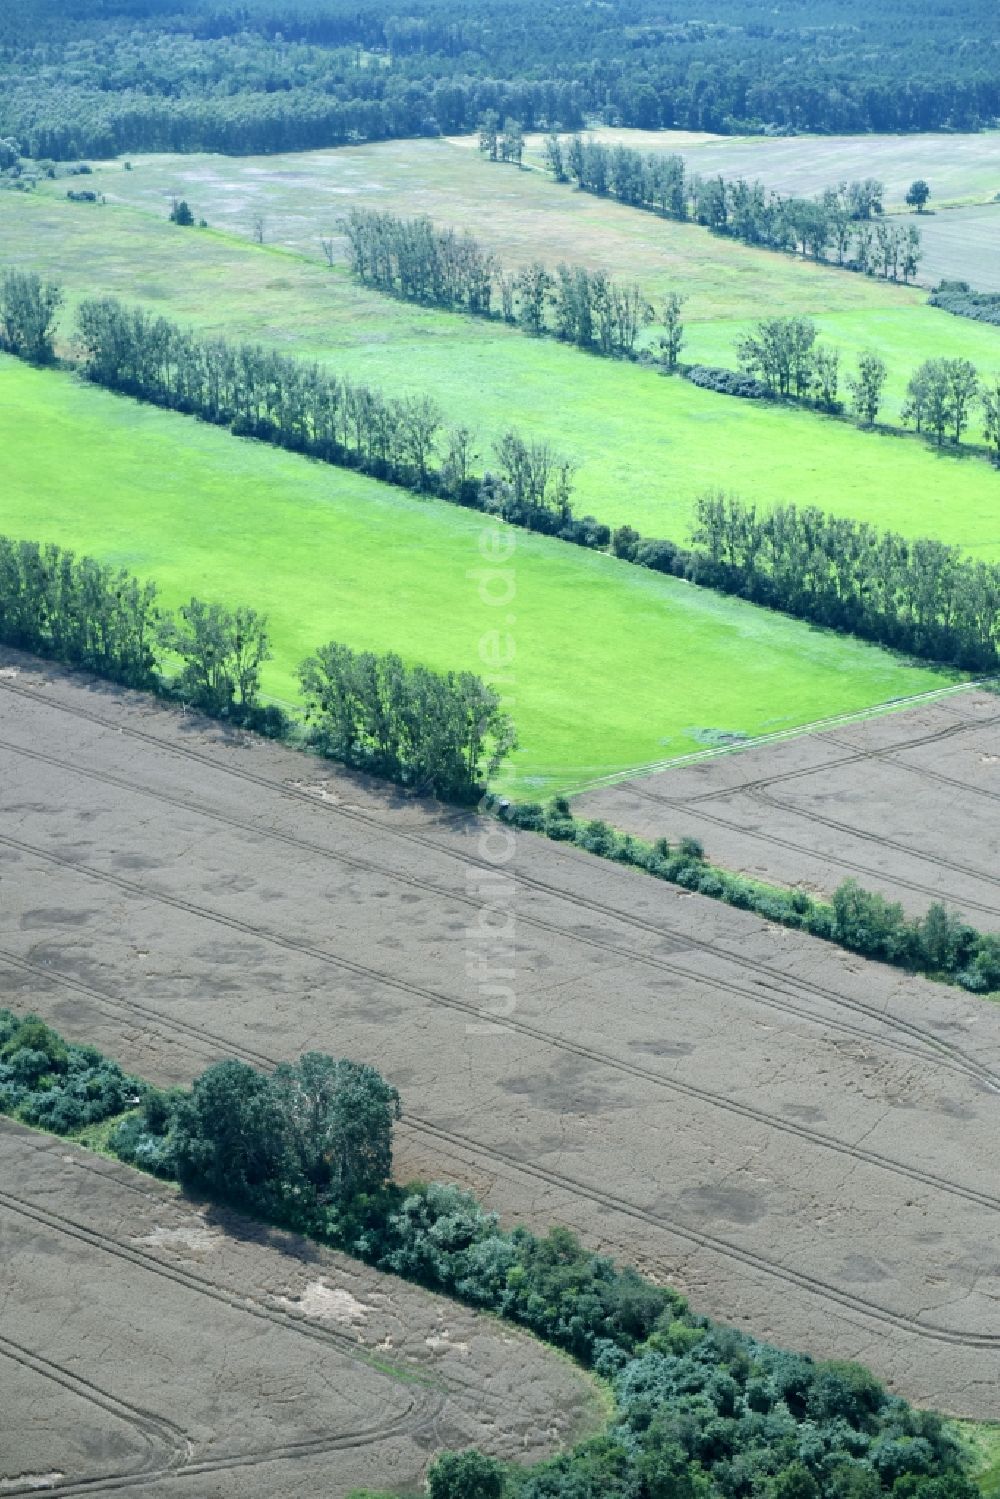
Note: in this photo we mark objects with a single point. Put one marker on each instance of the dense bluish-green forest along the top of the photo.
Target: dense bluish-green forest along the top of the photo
(266, 76)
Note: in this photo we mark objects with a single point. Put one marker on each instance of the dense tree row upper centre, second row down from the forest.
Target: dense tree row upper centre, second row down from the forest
(415, 260)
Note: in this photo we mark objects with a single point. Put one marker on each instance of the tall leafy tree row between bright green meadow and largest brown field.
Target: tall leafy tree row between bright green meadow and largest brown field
(443, 734)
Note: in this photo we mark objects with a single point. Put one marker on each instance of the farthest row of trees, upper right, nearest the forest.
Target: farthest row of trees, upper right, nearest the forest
(843, 226)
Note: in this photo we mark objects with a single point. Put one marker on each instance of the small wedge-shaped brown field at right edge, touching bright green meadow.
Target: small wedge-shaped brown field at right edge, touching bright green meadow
(908, 804)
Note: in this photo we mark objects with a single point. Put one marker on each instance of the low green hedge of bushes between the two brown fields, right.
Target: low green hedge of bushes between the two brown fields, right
(941, 944)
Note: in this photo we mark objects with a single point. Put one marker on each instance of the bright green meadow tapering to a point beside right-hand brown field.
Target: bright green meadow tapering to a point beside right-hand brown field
(614, 668)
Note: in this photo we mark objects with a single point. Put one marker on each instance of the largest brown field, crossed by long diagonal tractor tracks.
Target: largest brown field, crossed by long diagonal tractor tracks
(801, 1141)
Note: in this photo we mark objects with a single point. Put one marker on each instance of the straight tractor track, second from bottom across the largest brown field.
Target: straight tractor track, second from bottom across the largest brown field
(536, 1034)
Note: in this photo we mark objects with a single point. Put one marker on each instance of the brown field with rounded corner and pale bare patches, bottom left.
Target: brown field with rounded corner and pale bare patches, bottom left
(154, 1345)
